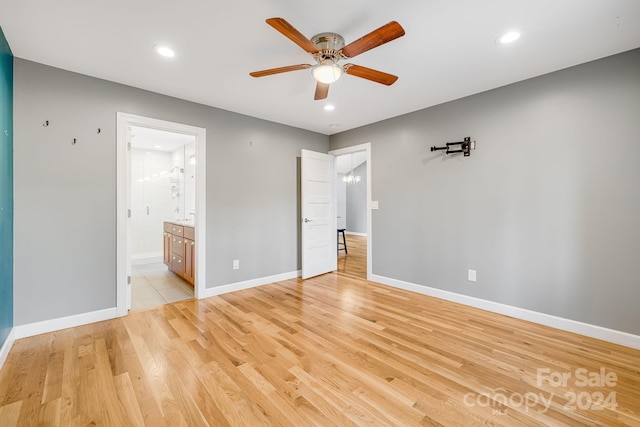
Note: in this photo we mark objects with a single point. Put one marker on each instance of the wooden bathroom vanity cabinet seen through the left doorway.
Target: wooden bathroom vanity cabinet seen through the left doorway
(179, 250)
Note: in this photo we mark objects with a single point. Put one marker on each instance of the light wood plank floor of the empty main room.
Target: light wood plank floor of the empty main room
(334, 350)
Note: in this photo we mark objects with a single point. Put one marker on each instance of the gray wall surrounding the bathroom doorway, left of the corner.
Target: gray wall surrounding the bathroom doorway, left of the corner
(65, 195)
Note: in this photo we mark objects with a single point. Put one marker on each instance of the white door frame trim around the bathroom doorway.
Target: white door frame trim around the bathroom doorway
(123, 121)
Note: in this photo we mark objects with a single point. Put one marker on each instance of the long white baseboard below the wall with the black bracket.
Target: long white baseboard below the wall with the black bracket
(593, 331)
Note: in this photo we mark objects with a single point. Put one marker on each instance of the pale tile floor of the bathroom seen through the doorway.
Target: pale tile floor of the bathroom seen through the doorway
(153, 285)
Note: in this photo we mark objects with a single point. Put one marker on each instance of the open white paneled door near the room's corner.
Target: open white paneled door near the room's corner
(319, 232)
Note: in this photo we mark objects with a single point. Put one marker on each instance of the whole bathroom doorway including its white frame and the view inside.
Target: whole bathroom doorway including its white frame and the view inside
(161, 208)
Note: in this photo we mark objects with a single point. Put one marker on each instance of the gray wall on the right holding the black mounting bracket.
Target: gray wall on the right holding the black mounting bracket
(546, 209)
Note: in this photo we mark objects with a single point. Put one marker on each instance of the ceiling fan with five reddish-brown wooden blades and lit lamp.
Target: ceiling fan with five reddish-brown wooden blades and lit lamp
(328, 50)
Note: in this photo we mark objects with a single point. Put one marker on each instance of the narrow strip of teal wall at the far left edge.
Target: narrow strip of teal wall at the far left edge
(6, 189)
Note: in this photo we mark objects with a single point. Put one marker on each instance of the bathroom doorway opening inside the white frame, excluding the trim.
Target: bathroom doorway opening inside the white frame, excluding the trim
(163, 186)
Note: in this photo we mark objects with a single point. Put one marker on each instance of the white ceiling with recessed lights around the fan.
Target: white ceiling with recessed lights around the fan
(448, 51)
